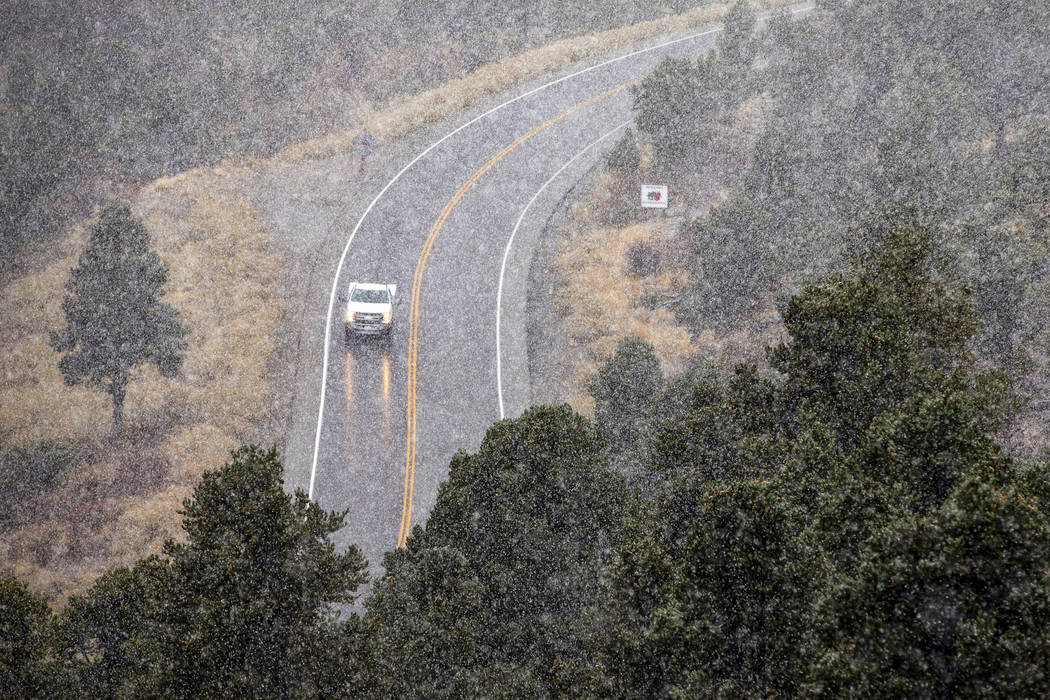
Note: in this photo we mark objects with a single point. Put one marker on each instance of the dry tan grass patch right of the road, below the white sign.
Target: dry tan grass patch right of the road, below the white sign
(600, 301)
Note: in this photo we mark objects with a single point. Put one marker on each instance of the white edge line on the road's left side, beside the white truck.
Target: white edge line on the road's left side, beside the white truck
(346, 250)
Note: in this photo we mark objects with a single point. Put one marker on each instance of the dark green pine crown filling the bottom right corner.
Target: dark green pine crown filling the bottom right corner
(952, 606)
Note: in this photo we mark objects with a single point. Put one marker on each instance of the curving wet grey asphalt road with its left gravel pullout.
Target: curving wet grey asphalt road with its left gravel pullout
(455, 229)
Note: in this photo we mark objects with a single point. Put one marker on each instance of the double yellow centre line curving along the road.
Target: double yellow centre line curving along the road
(417, 284)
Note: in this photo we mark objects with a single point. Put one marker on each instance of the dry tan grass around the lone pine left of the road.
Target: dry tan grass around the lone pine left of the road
(221, 265)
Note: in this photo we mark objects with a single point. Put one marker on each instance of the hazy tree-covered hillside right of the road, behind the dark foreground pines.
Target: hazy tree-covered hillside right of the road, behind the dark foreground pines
(791, 150)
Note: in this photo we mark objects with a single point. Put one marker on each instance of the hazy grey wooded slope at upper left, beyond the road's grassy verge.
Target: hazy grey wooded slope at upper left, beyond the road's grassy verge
(98, 97)
